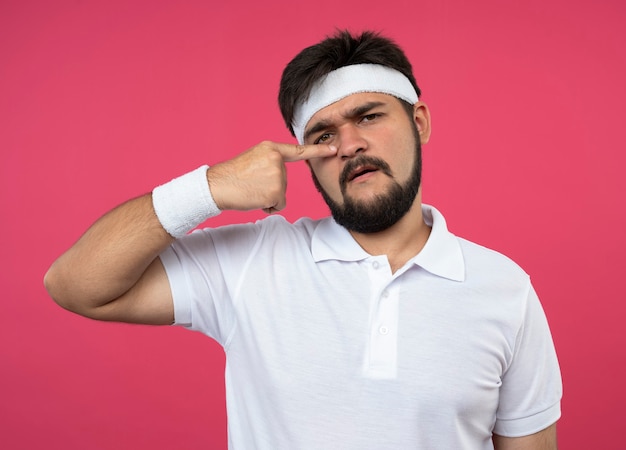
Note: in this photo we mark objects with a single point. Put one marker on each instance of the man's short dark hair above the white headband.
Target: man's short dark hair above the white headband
(342, 49)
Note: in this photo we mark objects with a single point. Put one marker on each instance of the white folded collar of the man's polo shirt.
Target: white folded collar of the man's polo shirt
(441, 256)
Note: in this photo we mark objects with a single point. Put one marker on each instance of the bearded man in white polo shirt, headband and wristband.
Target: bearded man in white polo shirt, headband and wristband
(376, 328)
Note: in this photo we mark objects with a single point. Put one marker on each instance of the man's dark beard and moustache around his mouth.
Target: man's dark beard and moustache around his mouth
(386, 208)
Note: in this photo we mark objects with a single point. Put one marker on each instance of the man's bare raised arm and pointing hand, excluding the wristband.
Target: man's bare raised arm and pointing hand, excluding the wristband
(113, 271)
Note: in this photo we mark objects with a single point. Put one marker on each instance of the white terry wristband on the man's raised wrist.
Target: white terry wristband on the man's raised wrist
(184, 203)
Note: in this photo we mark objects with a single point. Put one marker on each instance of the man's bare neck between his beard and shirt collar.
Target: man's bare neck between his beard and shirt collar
(400, 242)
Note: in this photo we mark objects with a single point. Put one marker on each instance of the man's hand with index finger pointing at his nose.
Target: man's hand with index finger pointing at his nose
(257, 178)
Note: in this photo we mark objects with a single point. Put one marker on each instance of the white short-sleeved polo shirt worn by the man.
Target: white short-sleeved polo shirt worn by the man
(327, 349)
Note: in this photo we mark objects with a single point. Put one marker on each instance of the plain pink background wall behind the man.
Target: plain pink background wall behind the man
(101, 101)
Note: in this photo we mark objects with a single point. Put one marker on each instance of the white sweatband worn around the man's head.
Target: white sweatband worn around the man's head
(349, 80)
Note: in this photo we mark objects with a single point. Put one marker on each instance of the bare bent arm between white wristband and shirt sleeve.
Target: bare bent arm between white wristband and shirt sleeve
(112, 272)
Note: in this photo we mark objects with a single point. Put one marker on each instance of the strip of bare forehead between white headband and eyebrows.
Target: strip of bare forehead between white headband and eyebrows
(350, 105)
